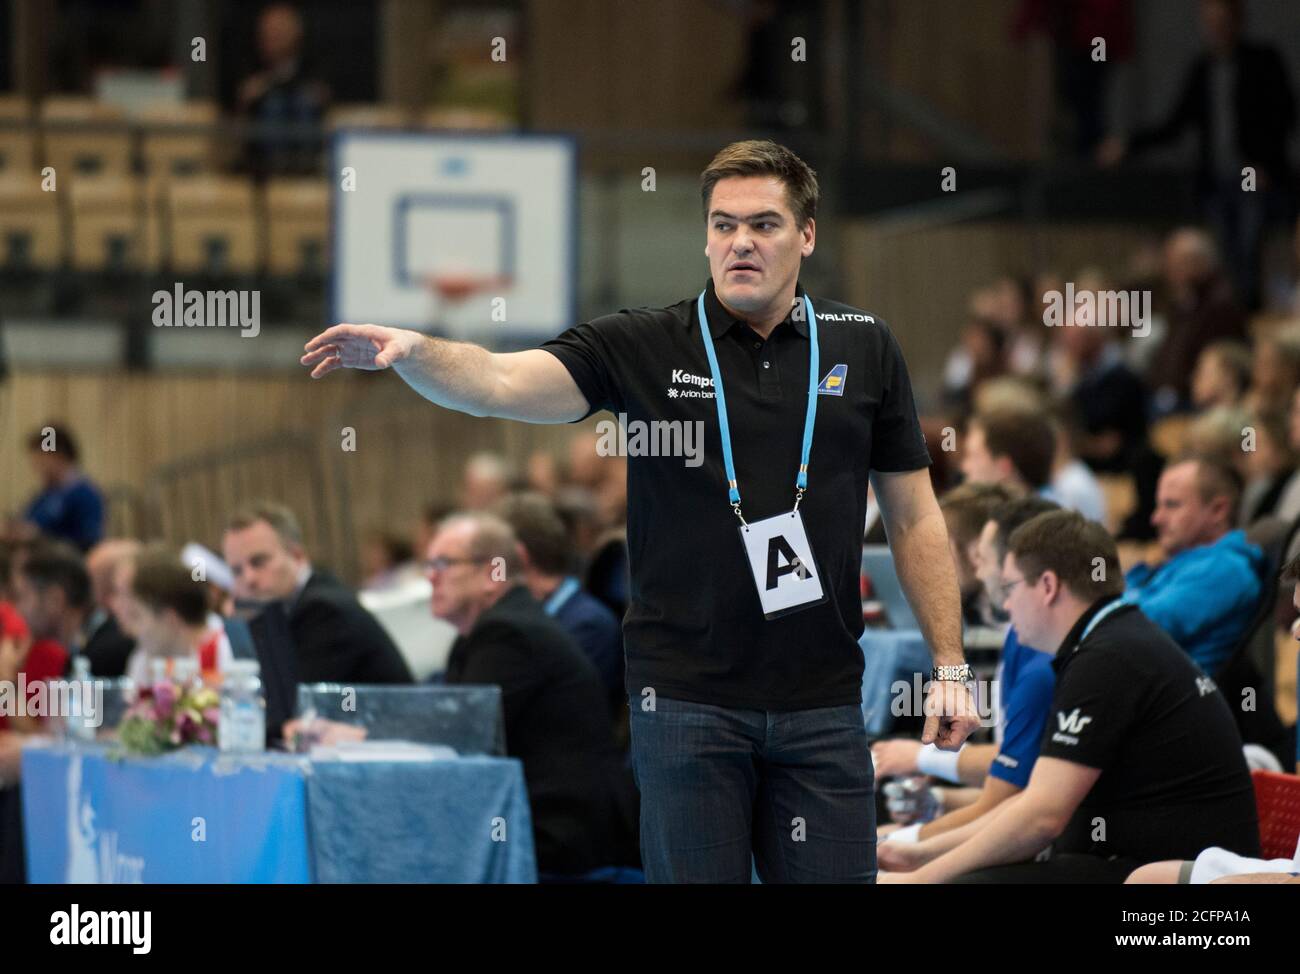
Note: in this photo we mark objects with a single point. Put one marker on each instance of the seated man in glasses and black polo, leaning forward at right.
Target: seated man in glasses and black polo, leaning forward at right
(1141, 760)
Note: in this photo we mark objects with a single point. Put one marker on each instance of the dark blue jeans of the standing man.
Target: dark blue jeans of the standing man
(792, 790)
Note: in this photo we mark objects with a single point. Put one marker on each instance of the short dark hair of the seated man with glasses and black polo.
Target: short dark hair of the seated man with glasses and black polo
(1068, 544)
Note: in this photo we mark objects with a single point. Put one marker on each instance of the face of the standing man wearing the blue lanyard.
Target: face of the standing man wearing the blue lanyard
(753, 244)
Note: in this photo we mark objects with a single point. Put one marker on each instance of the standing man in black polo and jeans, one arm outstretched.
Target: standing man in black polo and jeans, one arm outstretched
(743, 664)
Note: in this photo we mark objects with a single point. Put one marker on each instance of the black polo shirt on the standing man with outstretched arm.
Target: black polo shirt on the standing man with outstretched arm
(695, 629)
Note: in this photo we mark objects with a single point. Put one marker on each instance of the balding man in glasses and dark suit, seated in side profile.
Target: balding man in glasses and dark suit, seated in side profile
(557, 720)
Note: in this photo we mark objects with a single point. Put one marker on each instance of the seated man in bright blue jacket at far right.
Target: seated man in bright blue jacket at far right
(1207, 590)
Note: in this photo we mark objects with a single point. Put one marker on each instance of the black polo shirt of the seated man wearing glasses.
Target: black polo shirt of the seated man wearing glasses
(1173, 781)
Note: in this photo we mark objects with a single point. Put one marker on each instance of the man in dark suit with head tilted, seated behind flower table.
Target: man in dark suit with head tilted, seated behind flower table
(335, 639)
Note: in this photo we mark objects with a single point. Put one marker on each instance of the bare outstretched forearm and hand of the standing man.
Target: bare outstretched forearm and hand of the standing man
(527, 386)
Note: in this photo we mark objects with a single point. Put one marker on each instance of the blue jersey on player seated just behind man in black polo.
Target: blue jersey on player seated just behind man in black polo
(1028, 687)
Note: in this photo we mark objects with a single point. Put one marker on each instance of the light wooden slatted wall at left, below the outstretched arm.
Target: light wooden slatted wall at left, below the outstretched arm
(409, 453)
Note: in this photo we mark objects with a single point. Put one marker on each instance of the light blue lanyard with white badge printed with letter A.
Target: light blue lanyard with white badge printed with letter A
(781, 557)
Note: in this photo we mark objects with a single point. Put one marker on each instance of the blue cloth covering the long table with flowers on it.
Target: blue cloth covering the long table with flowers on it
(201, 817)
